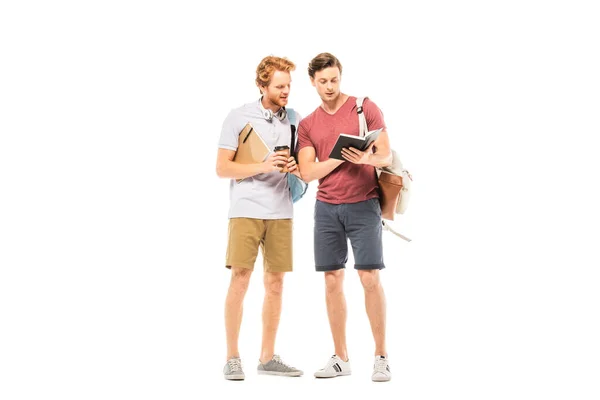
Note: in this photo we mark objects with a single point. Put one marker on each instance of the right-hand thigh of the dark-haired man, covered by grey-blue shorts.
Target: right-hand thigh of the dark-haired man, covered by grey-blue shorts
(363, 226)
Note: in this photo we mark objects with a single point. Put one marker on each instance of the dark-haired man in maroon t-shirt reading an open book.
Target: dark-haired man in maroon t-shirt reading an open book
(347, 207)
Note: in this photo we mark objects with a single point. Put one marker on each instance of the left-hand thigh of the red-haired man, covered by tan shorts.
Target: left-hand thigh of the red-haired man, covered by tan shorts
(245, 235)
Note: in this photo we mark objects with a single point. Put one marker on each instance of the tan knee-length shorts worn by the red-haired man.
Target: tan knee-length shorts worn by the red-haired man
(273, 236)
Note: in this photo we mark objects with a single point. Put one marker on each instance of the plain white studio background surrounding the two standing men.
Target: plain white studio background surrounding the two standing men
(113, 221)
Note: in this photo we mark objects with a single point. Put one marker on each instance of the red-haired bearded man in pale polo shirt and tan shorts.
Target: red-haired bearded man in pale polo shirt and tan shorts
(260, 213)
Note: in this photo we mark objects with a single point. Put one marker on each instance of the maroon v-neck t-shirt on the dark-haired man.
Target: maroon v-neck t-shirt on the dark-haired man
(348, 183)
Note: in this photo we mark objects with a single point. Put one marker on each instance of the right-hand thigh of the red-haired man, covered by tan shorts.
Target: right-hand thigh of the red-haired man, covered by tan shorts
(277, 245)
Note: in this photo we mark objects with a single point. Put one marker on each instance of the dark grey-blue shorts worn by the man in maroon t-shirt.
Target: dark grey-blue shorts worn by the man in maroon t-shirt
(336, 223)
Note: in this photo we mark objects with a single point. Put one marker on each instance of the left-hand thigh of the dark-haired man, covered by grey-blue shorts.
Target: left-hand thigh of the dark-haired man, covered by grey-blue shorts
(330, 241)
